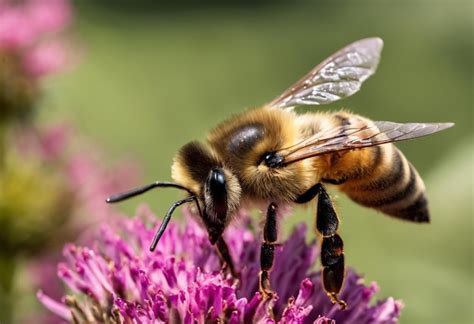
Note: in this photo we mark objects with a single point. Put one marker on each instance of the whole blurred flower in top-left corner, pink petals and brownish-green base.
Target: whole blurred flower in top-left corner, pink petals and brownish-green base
(29, 48)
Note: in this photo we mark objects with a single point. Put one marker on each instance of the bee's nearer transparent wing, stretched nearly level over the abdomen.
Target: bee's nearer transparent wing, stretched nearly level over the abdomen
(353, 137)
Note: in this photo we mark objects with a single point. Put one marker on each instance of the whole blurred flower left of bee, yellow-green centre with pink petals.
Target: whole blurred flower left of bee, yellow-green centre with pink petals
(54, 184)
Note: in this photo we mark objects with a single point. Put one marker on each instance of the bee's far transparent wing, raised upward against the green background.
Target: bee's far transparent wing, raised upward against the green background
(339, 76)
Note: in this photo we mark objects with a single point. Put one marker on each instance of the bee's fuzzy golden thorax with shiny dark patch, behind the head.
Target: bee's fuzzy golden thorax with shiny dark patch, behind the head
(271, 130)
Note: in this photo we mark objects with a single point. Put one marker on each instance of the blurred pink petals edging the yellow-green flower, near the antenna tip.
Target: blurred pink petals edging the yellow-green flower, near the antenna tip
(81, 163)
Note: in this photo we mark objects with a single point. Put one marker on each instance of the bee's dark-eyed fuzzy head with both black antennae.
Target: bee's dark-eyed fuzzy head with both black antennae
(197, 170)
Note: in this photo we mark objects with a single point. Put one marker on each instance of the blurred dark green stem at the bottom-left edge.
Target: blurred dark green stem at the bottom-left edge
(7, 276)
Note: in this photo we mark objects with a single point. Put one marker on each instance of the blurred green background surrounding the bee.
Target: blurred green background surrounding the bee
(154, 76)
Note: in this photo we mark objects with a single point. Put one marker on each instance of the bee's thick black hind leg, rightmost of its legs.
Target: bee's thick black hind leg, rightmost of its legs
(332, 255)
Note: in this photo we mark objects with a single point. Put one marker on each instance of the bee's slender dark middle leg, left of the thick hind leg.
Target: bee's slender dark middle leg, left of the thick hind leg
(267, 251)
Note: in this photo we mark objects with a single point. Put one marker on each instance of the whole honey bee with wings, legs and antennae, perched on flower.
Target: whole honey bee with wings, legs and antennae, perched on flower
(272, 156)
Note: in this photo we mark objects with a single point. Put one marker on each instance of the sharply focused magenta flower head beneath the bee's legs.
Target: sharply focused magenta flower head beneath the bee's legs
(119, 280)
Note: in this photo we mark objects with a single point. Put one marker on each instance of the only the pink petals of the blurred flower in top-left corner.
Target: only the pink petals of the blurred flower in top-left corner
(30, 28)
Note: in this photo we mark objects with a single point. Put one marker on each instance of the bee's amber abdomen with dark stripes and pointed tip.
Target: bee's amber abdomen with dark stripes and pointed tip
(382, 178)
